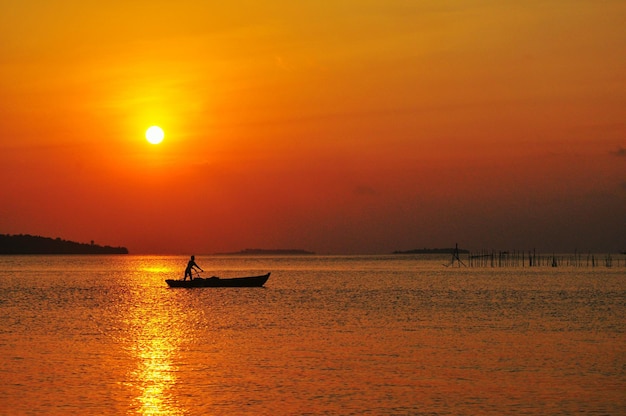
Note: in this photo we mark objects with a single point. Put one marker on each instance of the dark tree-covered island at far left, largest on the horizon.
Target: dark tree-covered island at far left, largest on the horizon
(29, 244)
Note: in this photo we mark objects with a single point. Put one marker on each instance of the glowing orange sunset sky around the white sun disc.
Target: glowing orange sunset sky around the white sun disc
(336, 127)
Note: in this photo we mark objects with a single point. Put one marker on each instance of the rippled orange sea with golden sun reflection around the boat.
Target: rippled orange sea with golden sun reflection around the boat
(327, 335)
